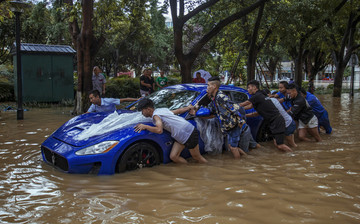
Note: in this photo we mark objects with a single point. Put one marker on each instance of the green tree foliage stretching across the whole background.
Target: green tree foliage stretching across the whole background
(216, 35)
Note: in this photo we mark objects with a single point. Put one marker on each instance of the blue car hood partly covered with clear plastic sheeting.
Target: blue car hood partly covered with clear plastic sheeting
(84, 129)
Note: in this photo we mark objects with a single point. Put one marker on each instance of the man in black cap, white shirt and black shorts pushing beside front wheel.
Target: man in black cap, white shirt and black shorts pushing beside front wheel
(184, 133)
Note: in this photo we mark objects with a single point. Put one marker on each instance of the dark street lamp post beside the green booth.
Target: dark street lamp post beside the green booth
(17, 7)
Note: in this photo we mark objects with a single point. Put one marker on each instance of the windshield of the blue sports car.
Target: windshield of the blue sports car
(171, 98)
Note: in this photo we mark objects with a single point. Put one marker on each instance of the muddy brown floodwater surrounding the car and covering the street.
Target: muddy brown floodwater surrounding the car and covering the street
(317, 183)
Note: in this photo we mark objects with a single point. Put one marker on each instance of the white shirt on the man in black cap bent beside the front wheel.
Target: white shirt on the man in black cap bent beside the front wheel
(179, 128)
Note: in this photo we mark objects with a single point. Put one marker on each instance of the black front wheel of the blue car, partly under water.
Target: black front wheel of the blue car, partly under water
(138, 156)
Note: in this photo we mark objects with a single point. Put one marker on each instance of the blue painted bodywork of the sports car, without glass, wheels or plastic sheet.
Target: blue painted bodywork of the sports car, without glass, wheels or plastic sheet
(60, 148)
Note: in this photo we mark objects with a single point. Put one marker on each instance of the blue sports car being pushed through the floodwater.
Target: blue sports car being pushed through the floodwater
(106, 143)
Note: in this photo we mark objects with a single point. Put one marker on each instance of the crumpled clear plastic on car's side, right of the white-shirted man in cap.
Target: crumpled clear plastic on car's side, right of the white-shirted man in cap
(211, 134)
